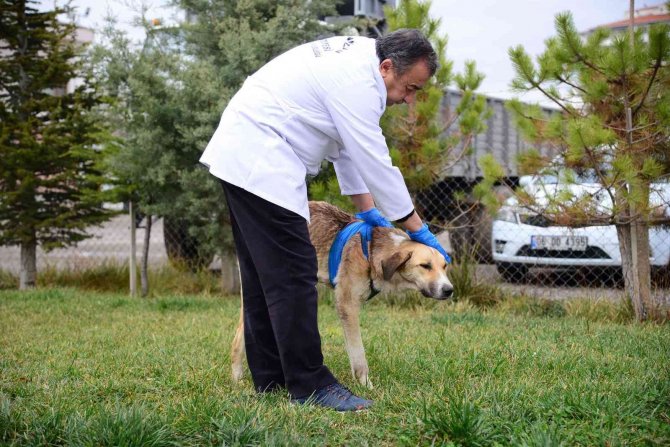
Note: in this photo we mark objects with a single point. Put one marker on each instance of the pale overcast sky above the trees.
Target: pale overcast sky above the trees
(479, 30)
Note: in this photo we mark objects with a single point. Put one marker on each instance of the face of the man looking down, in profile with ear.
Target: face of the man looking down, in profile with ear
(403, 88)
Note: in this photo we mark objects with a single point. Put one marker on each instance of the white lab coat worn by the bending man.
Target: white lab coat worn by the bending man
(321, 100)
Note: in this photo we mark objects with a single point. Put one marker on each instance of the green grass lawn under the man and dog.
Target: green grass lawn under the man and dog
(86, 368)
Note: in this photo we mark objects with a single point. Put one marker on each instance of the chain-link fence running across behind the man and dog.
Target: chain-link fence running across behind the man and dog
(517, 250)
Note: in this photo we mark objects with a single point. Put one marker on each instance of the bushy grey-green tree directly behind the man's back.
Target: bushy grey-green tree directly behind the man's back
(171, 91)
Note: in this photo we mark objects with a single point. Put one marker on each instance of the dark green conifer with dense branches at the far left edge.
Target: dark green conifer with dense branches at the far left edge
(50, 181)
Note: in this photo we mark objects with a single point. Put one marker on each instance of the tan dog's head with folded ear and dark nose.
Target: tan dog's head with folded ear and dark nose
(412, 265)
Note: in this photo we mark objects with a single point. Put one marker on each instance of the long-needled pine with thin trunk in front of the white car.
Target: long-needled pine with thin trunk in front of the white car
(614, 94)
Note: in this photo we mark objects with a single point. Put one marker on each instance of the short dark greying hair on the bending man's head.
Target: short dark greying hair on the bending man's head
(405, 47)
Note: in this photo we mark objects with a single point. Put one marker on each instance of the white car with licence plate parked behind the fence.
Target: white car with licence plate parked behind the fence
(523, 238)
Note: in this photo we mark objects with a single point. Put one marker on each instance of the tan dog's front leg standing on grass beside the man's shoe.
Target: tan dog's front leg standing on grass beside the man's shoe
(348, 306)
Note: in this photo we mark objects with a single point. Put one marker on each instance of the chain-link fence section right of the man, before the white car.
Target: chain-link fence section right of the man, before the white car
(527, 252)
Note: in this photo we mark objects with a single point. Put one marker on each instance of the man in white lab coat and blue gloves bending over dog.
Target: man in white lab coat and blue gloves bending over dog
(321, 100)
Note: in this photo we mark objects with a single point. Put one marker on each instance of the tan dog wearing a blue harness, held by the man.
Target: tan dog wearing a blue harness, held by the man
(395, 263)
